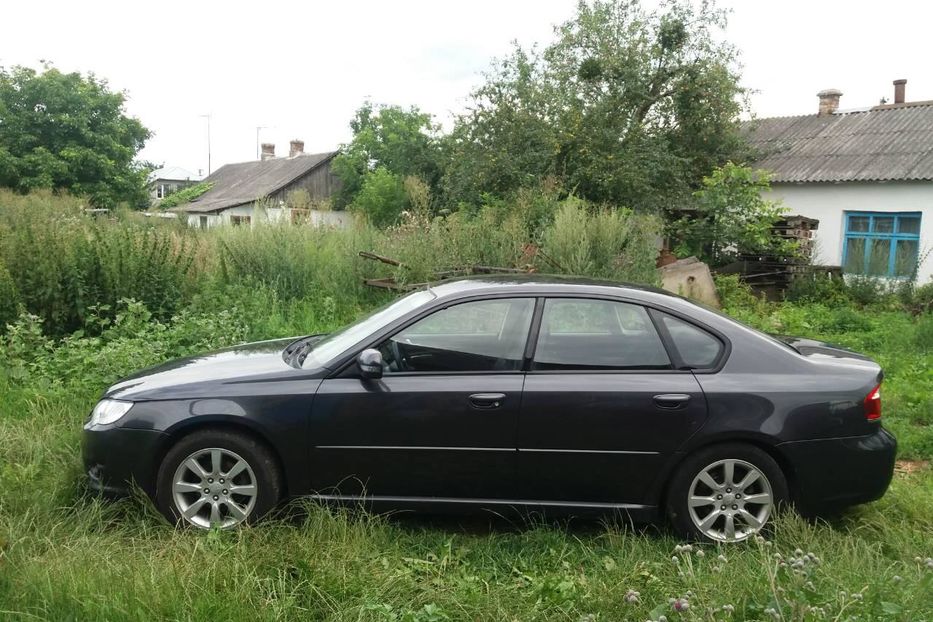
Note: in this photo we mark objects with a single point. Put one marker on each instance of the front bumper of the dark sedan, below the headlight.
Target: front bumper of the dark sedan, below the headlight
(116, 457)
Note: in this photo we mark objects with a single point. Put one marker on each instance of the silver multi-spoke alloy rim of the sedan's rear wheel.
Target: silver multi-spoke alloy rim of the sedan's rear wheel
(730, 500)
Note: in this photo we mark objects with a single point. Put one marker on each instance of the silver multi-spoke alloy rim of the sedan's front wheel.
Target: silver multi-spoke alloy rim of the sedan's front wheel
(214, 487)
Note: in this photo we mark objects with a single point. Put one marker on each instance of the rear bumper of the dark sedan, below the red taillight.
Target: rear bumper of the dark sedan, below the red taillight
(831, 474)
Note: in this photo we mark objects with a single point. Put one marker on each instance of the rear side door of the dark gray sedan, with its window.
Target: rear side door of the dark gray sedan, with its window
(603, 407)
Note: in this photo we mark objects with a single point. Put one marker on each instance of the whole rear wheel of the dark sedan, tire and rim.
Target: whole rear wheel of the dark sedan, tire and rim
(726, 493)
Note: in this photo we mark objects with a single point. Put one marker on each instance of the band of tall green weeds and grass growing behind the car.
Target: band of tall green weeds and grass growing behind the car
(64, 266)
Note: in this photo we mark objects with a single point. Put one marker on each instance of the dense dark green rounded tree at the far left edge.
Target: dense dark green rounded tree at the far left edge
(66, 131)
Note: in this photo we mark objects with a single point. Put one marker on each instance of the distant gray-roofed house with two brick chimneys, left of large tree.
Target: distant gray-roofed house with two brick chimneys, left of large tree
(236, 190)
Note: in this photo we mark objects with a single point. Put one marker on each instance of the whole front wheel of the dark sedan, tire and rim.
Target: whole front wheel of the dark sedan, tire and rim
(217, 478)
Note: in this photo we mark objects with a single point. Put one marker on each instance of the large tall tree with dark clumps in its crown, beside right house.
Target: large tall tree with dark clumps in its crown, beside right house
(627, 106)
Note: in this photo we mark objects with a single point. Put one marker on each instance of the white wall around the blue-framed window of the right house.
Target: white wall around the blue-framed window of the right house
(829, 202)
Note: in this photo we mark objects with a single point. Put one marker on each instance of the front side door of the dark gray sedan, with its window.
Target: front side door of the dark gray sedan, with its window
(441, 422)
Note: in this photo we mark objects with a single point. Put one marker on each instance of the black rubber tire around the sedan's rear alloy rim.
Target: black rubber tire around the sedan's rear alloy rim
(678, 492)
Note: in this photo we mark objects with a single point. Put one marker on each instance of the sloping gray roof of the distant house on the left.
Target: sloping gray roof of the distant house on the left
(247, 182)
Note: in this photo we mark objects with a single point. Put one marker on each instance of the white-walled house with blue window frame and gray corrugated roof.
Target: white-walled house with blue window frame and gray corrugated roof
(866, 174)
